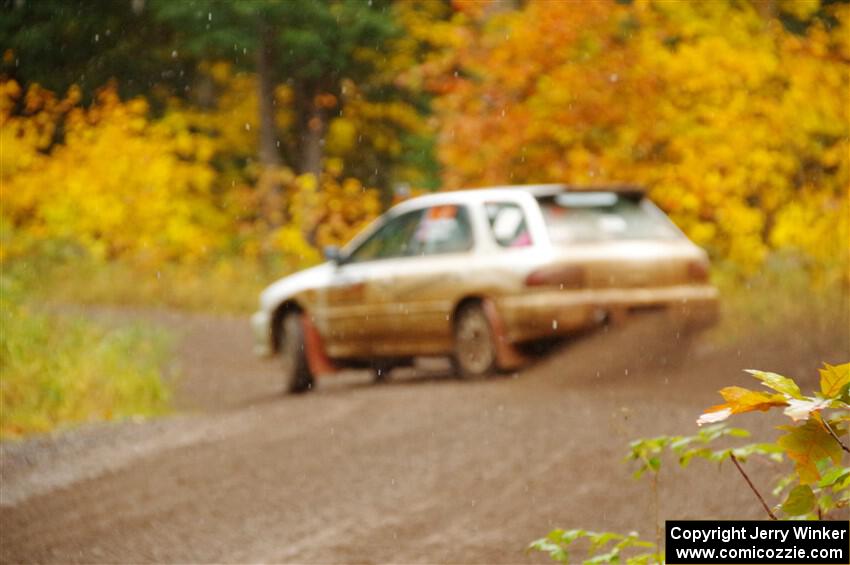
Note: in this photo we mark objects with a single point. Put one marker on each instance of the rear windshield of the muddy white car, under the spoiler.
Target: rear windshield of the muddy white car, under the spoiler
(602, 216)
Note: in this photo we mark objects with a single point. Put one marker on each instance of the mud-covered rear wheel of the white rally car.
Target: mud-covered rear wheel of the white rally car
(475, 343)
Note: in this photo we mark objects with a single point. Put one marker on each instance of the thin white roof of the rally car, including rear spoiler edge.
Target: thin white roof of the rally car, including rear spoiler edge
(508, 191)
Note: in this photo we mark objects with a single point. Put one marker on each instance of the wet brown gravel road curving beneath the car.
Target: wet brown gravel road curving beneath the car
(423, 469)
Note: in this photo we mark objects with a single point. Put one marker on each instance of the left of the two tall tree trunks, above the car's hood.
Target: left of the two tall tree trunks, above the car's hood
(268, 154)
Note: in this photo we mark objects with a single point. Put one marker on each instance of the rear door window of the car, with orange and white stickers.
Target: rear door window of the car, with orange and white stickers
(443, 229)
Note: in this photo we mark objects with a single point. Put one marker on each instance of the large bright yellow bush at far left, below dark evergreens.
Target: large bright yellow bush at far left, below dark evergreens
(117, 184)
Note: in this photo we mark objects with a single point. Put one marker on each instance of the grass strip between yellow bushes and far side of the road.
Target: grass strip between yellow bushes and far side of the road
(63, 272)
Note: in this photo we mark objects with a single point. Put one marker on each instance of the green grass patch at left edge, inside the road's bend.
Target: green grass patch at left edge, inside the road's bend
(59, 370)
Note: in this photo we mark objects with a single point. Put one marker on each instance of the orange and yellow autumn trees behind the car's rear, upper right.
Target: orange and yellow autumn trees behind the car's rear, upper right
(733, 113)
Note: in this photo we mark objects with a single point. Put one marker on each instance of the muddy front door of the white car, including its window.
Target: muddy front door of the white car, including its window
(352, 315)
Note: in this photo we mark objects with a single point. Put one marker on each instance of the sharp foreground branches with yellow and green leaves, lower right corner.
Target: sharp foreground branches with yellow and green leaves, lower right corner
(818, 484)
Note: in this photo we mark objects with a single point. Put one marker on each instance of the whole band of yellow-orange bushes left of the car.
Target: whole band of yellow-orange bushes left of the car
(123, 185)
